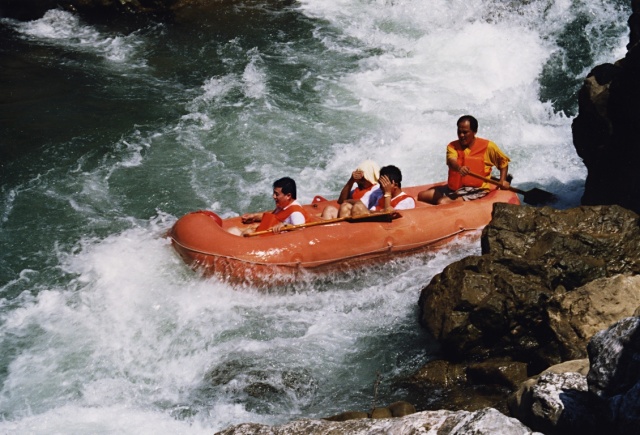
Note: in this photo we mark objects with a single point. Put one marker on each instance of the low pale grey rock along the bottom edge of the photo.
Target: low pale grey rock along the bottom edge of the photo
(485, 421)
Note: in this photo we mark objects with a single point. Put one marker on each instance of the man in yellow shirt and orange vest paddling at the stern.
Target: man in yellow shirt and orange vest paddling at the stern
(468, 154)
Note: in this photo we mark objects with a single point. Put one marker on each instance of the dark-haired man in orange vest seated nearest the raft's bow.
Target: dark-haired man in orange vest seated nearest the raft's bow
(288, 210)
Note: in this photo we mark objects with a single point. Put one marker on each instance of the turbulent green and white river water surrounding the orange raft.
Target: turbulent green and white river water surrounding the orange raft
(110, 133)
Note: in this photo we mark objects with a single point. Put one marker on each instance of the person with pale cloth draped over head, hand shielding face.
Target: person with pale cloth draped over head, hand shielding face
(365, 177)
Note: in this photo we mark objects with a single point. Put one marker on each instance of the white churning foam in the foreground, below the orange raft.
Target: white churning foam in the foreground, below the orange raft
(135, 329)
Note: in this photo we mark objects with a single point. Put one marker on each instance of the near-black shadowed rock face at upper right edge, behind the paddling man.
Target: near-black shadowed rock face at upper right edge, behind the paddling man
(605, 130)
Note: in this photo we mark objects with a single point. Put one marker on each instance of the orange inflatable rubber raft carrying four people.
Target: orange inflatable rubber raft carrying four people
(202, 240)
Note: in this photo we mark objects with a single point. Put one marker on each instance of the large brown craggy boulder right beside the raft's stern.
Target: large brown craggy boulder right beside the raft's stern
(497, 304)
